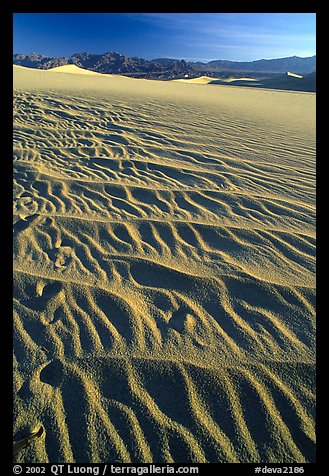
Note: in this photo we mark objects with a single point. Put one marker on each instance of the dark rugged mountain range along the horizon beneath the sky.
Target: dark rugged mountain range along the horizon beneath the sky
(115, 63)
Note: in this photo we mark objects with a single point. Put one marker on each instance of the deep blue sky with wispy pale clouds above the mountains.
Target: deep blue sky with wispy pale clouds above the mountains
(190, 36)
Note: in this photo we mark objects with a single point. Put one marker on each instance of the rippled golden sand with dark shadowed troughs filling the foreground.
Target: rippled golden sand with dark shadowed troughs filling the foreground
(164, 271)
